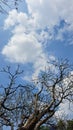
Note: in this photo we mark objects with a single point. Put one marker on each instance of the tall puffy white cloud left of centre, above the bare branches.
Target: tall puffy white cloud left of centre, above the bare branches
(24, 46)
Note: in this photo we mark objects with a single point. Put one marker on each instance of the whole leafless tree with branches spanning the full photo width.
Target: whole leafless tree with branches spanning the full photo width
(31, 105)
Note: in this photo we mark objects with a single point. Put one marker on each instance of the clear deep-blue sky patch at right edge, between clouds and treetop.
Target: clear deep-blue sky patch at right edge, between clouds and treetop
(60, 49)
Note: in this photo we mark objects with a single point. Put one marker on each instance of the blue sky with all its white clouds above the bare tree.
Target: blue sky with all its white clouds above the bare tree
(40, 31)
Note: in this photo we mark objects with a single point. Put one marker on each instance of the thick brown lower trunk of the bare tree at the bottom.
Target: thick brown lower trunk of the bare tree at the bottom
(34, 122)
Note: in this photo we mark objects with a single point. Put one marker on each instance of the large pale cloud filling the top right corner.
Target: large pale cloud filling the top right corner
(49, 13)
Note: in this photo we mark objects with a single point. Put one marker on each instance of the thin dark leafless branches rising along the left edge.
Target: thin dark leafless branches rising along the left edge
(8, 93)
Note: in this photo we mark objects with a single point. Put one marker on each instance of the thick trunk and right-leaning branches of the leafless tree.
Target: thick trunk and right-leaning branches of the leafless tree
(55, 87)
